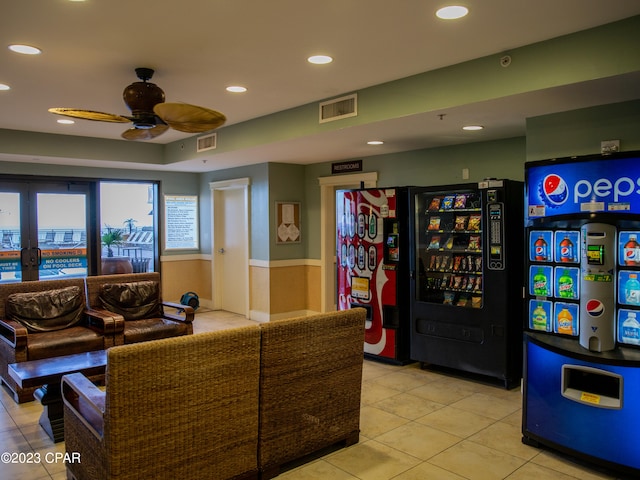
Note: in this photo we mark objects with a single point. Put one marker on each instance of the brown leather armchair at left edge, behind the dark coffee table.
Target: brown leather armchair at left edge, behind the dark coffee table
(40, 332)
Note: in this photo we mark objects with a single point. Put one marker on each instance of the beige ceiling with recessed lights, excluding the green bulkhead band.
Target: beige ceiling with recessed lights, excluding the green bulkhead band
(198, 47)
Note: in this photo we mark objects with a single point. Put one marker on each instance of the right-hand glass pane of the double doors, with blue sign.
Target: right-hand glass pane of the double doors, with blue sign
(62, 235)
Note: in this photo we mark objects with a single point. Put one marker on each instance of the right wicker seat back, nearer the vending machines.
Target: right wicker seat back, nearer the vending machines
(310, 386)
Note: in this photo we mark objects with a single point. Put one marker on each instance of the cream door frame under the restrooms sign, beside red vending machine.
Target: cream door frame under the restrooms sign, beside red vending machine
(328, 187)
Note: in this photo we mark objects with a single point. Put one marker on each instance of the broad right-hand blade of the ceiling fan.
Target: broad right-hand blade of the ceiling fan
(189, 118)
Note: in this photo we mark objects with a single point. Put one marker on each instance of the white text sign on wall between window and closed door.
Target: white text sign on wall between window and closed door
(181, 222)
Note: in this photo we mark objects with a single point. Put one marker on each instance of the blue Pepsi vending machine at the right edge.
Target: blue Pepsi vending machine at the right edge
(581, 376)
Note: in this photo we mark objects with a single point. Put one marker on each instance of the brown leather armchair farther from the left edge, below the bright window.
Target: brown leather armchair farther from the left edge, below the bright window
(161, 320)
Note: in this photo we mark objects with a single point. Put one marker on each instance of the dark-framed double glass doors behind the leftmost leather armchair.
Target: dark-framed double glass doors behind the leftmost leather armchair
(45, 230)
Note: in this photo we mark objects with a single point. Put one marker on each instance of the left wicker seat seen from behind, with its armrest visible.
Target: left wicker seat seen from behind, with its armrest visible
(179, 408)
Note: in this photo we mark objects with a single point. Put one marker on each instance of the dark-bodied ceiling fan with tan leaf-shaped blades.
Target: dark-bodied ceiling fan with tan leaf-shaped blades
(150, 115)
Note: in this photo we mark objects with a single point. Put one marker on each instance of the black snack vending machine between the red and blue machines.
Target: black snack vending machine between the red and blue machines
(466, 279)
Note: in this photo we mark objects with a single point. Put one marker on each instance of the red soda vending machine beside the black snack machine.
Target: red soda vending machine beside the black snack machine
(373, 266)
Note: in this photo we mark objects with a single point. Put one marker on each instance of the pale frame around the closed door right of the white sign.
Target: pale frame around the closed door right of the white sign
(237, 183)
